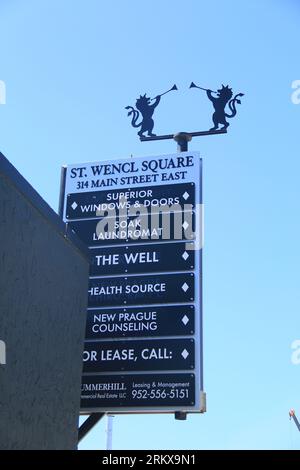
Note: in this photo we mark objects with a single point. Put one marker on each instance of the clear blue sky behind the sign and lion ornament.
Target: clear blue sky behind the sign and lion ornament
(70, 68)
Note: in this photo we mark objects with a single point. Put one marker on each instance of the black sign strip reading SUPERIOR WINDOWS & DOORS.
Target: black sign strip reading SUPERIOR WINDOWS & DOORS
(87, 205)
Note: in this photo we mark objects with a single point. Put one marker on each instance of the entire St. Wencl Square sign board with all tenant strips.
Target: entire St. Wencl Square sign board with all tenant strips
(141, 220)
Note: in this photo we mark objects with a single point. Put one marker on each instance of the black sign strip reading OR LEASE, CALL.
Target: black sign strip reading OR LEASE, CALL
(144, 355)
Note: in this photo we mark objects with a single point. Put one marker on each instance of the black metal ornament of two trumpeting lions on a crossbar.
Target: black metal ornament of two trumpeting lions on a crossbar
(145, 107)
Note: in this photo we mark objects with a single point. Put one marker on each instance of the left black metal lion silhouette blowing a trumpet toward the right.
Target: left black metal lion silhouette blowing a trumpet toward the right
(145, 110)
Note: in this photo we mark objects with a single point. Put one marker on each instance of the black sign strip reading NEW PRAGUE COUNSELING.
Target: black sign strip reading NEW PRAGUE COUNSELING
(169, 320)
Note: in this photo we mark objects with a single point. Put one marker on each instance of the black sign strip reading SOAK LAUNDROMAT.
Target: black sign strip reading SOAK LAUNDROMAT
(135, 229)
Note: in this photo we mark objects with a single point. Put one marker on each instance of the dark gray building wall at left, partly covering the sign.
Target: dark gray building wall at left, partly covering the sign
(43, 300)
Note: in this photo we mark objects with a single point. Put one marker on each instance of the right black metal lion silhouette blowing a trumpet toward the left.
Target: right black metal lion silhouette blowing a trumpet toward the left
(222, 98)
